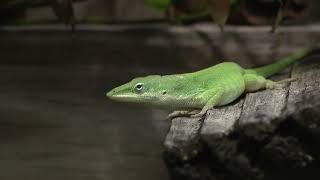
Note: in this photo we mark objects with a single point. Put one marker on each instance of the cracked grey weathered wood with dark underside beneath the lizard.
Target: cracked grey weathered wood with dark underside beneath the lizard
(270, 134)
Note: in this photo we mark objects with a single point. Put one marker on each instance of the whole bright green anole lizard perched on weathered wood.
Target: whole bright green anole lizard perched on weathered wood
(214, 86)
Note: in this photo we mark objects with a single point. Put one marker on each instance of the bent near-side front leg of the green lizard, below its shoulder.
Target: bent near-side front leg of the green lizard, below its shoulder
(213, 98)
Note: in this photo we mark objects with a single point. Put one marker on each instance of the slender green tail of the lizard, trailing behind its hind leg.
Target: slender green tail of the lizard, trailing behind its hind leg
(274, 68)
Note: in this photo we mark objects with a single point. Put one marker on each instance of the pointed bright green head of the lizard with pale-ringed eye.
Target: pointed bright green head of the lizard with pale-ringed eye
(146, 90)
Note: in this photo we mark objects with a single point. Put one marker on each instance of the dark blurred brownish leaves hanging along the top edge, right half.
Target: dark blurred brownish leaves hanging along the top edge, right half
(257, 12)
